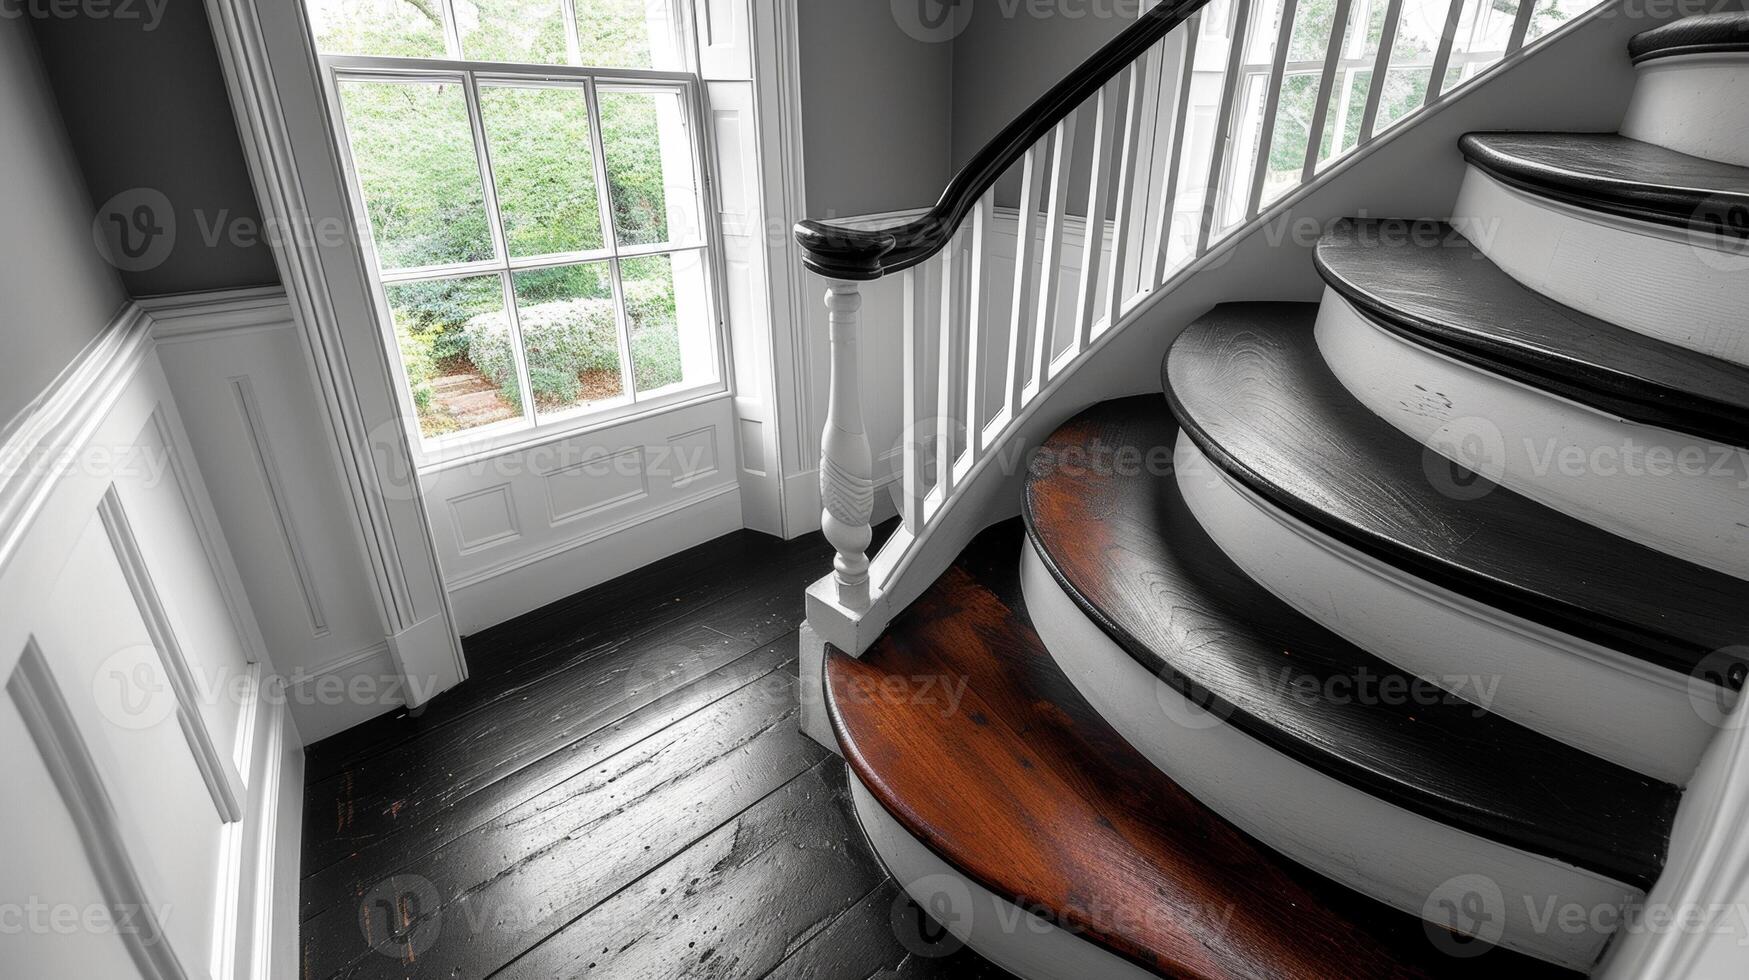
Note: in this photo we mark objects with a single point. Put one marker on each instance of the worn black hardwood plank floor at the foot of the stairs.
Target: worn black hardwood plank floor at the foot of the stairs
(618, 792)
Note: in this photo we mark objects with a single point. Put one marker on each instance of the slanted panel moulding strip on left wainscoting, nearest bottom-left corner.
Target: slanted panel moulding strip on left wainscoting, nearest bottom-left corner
(102, 830)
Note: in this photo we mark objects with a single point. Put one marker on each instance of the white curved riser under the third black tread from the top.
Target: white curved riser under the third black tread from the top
(1661, 489)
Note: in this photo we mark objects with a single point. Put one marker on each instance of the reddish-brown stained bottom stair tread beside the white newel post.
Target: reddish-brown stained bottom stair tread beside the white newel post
(1026, 790)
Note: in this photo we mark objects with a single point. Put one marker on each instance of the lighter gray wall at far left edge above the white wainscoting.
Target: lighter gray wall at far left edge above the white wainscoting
(57, 291)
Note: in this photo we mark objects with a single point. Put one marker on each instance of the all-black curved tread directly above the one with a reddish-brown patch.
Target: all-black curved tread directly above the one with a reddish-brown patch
(1253, 391)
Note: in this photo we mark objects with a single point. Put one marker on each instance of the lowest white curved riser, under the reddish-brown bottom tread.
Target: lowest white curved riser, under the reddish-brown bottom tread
(1001, 932)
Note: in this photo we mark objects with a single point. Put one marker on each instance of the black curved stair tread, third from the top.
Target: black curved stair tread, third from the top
(1423, 281)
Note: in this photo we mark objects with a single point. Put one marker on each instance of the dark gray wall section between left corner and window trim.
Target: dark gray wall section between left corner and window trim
(146, 106)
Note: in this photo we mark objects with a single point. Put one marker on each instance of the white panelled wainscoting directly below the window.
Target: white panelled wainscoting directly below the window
(519, 531)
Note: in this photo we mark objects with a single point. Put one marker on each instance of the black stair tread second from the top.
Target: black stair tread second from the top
(1606, 172)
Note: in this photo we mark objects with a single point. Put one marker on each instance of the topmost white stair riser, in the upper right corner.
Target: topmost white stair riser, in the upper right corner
(1694, 104)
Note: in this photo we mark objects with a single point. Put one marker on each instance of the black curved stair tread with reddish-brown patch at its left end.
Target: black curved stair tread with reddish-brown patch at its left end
(1134, 557)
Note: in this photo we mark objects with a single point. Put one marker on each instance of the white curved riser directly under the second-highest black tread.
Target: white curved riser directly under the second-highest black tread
(1650, 279)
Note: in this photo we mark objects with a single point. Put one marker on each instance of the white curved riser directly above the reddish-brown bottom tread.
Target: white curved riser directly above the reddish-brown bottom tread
(1376, 848)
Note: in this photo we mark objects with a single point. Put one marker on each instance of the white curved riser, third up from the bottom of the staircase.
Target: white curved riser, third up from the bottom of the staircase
(1580, 694)
